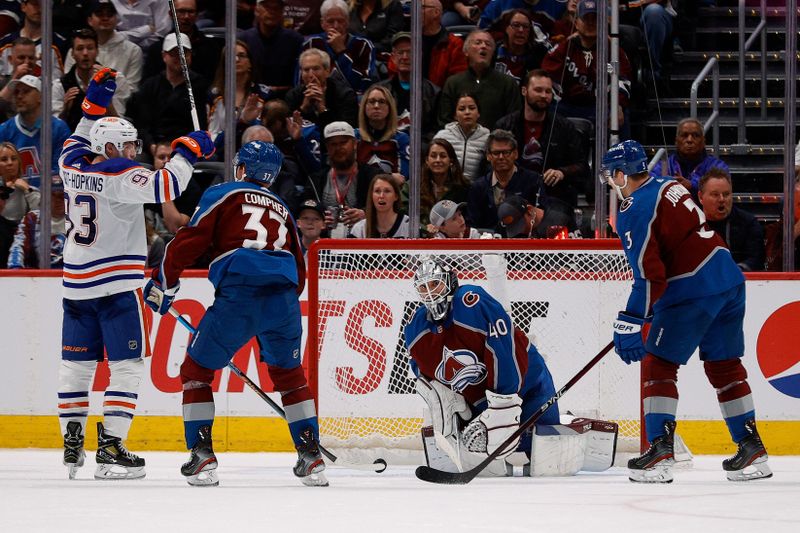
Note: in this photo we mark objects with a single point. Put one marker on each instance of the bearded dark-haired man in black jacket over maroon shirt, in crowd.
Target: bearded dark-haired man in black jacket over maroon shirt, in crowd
(550, 143)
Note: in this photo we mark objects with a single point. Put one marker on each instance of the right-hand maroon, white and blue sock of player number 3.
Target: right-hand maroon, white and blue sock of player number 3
(729, 378)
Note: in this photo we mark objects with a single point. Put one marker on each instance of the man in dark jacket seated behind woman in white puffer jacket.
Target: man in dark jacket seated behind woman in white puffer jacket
(498, 94)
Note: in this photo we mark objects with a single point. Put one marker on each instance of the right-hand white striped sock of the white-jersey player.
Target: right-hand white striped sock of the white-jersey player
(119, 402)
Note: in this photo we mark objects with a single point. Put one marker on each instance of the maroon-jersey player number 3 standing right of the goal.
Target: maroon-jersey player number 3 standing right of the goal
(688, 288)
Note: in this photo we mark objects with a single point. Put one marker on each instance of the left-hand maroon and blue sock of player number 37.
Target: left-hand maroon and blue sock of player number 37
(198, 399)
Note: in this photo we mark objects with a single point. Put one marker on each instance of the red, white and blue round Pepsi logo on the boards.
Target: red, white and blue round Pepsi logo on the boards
(778, 351)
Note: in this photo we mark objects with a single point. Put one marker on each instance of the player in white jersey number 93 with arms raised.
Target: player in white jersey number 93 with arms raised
(104, 259)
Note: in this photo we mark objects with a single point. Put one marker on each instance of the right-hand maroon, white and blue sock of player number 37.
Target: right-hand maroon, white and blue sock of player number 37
(297, 400)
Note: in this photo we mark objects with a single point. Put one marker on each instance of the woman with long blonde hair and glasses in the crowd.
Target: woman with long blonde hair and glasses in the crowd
(379, 143)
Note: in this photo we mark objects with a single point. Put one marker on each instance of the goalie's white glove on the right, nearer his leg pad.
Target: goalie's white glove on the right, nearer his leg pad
(497, 423)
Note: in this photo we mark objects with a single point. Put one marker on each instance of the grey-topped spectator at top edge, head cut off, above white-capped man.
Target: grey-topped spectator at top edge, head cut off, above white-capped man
(143, 22)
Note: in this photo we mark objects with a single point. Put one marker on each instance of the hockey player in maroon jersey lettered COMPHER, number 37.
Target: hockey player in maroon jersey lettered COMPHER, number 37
(258, 271)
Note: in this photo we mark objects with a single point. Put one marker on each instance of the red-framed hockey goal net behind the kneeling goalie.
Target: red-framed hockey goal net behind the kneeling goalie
(563, 294)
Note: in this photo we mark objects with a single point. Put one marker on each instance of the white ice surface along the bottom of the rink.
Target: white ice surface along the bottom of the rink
(258, 493)
